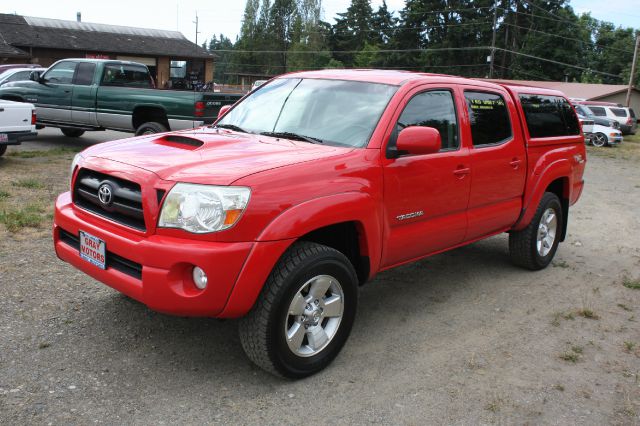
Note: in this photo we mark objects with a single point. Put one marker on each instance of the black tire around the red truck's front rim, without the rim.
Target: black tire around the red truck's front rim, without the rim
(262, 331)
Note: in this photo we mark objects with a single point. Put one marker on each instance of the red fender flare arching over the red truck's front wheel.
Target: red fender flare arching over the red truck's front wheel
(292, 224)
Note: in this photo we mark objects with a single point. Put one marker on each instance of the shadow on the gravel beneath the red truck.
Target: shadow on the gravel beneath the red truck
(212, 348)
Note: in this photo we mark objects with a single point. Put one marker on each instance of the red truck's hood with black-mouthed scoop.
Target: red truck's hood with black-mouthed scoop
(209, 156)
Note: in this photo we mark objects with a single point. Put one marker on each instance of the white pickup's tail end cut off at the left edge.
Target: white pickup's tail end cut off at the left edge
(17, 122)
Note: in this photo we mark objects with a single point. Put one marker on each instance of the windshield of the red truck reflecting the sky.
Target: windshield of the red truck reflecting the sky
(323, 111)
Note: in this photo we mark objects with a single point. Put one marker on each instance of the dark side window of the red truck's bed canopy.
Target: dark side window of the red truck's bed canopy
(549, 116)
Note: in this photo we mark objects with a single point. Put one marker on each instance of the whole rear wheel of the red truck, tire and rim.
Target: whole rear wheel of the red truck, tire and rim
(534, 246)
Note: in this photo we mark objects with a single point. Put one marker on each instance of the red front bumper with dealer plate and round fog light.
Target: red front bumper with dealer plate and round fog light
(157, 269)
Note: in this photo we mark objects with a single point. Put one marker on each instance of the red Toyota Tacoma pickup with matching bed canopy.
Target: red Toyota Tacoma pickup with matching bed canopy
(311, 185)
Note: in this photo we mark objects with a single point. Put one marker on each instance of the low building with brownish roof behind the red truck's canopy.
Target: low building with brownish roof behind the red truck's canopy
(616, 93)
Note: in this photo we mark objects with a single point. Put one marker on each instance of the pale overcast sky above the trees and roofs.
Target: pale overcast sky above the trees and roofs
(224, 16)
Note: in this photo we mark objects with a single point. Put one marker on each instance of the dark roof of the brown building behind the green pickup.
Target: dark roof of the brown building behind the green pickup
(25, 31)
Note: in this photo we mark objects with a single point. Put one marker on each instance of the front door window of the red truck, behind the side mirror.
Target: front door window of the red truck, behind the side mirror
(433, 109)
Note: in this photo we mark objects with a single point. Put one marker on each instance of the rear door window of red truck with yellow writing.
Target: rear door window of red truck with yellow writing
(489, 118)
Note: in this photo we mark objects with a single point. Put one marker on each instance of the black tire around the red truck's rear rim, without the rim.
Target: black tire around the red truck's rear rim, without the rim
(523, 247)
